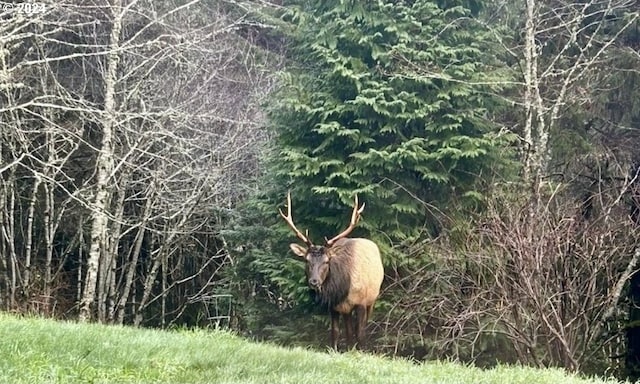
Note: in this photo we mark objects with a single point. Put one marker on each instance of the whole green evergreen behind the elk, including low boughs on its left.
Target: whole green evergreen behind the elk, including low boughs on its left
(391, 101)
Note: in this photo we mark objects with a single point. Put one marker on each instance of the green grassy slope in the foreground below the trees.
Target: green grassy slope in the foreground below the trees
(43, 351)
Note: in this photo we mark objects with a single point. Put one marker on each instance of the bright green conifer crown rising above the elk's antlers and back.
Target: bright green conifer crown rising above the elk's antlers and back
(390, 101)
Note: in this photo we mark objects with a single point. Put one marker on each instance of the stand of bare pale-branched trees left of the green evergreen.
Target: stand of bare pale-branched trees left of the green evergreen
(128, 129)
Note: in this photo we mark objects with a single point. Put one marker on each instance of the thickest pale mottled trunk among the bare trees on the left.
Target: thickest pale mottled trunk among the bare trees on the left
(104, 167)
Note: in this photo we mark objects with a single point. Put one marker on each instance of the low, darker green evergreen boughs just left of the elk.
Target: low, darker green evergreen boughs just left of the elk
(267, 280)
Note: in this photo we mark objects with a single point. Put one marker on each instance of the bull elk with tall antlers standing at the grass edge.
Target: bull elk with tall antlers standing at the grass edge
(346, 274)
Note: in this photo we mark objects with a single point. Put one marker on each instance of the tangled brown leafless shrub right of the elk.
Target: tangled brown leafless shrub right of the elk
(540, 285)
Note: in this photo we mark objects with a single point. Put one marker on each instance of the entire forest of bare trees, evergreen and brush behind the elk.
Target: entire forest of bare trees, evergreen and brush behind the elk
(146, 146)
